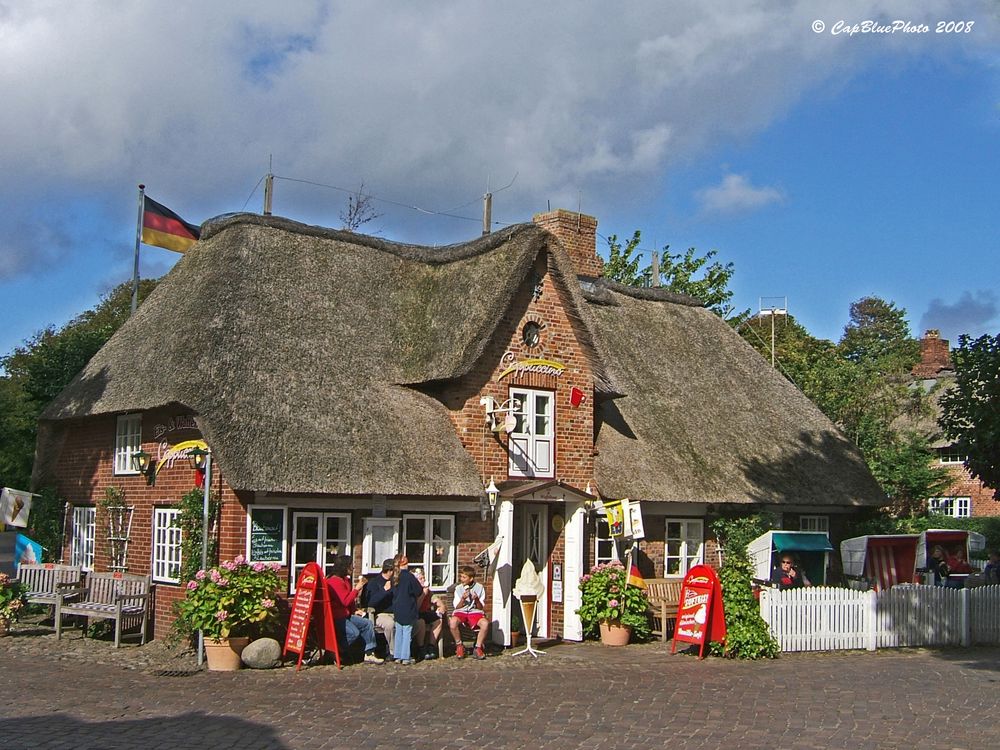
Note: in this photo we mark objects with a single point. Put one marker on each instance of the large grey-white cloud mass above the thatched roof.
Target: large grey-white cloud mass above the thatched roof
(424, 102)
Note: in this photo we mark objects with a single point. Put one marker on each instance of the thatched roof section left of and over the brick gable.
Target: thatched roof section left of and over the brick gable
(294, 346)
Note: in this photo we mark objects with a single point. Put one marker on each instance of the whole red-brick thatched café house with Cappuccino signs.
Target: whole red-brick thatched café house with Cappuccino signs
(359, 395)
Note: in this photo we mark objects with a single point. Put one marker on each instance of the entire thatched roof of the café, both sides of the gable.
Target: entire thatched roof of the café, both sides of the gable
(308, 356)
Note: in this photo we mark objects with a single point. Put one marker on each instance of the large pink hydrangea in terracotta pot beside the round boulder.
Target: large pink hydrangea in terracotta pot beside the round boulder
(231, 604)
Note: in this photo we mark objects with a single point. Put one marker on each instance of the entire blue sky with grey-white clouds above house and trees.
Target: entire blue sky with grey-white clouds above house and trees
(825, 165)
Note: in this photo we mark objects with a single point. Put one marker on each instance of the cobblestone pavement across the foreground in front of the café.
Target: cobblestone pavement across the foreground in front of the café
(84, 694)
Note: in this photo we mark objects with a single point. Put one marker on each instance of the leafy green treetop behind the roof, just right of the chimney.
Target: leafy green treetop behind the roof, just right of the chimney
(686, 273)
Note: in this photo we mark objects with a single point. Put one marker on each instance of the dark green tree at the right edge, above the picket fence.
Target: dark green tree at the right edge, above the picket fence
(971, 409)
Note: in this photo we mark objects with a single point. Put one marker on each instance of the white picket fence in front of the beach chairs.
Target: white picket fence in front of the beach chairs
(825, 619)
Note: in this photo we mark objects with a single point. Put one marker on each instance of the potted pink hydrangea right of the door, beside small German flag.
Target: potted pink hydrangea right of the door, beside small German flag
(611, 607)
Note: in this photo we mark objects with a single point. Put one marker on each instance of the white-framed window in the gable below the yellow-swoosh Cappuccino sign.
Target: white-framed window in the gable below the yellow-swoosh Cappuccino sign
(532, 442)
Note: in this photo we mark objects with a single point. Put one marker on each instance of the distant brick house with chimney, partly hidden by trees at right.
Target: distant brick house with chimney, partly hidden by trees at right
(966, 496)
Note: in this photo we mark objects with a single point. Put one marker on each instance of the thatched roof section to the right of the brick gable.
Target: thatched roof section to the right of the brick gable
(704, 418)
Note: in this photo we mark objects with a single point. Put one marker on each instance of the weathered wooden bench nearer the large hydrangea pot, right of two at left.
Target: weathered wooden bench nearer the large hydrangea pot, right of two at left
(109, 596)
